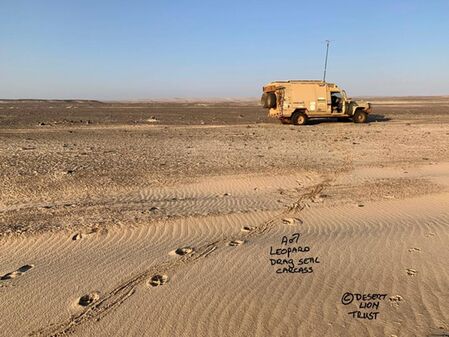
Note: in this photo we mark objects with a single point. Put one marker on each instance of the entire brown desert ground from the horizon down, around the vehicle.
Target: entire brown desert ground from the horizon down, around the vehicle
(209, 219)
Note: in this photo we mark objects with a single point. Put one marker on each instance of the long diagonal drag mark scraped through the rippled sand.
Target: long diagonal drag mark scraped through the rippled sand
(157, 275)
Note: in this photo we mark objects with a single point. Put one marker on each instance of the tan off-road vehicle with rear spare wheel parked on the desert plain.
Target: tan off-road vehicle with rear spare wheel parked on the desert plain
(296, 101)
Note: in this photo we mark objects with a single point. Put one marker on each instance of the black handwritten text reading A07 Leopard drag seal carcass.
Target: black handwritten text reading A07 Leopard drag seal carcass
(287, 258)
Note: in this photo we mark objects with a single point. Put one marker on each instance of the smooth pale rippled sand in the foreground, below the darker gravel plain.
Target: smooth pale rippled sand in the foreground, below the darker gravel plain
(226, 285)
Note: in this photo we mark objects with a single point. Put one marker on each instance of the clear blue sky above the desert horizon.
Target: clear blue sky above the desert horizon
(188, 48)
